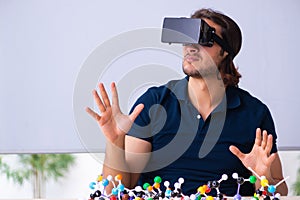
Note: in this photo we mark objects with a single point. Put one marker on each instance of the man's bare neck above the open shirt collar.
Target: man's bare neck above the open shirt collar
(205, 94)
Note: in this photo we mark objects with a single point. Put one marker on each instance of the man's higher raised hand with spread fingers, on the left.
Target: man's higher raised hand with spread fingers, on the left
(113, 123)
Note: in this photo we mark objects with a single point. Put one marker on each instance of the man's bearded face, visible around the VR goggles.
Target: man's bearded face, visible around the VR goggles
(202, 61)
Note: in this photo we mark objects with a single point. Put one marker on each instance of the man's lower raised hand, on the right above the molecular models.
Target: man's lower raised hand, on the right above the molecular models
(259, 159)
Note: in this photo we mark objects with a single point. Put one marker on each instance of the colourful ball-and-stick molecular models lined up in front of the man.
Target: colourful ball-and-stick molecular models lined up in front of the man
(153, 192)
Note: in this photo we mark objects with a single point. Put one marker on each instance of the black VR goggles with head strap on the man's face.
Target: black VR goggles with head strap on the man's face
(191, 31)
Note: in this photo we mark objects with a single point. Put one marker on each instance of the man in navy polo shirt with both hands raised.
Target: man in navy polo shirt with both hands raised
(217, 127)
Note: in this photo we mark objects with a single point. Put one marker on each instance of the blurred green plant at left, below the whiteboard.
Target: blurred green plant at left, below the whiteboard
(38, 168)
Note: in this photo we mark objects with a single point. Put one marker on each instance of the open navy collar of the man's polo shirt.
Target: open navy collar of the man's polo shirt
(232, 97)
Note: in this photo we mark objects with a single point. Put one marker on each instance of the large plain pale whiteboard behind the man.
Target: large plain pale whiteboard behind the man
(53, 53)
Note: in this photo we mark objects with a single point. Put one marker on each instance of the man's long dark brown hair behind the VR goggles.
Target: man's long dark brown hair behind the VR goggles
(232, 35)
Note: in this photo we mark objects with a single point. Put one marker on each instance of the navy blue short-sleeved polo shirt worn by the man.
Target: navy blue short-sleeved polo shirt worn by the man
(184, 145)
